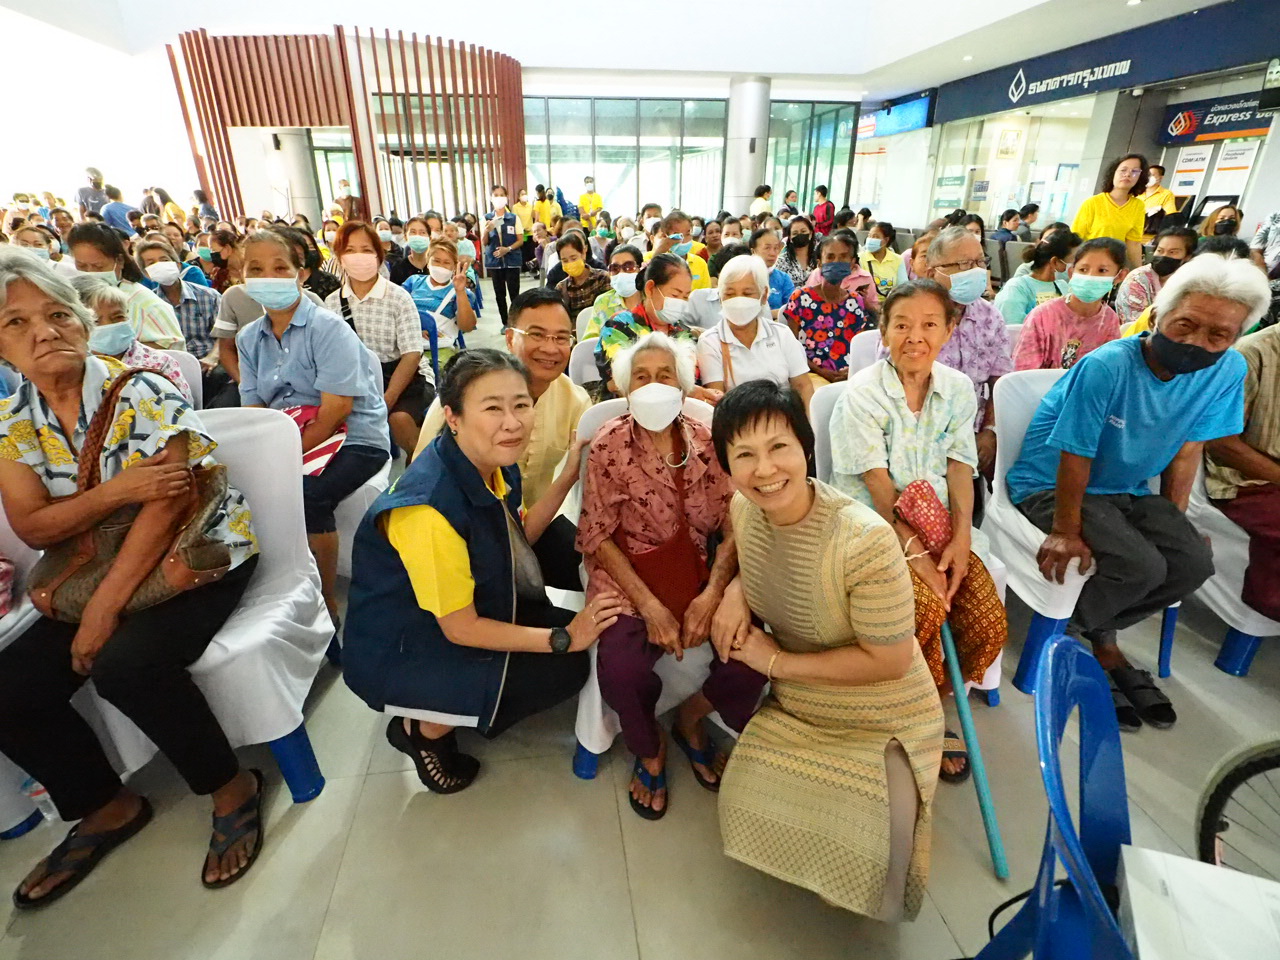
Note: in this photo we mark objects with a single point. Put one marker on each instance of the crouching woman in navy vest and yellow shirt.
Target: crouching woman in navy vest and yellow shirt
(449, 621)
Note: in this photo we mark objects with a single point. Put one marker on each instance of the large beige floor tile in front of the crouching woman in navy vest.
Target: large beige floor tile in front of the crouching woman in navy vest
(527, 863)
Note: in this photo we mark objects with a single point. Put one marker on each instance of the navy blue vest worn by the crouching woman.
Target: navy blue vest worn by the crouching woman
(394, 651)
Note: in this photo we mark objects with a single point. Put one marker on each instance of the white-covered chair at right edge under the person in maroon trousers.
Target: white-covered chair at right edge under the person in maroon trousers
(1222, 592)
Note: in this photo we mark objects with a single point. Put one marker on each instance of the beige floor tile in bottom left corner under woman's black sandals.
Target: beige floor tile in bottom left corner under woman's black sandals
(145, 902)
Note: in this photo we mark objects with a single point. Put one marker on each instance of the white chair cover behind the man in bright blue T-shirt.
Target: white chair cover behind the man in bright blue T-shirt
(1014, 540)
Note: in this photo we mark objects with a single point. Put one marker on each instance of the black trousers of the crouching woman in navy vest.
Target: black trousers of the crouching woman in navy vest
(538, 682)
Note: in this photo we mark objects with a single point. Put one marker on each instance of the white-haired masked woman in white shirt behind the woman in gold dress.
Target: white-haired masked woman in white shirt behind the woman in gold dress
(747, 345)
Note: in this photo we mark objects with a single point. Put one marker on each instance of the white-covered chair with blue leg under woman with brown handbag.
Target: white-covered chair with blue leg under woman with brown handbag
(259, 669)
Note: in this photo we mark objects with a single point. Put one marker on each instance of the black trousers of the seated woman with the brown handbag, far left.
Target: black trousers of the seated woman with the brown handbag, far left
(143, 673)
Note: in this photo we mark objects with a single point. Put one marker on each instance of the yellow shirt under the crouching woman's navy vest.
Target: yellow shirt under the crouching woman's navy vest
(435, 555)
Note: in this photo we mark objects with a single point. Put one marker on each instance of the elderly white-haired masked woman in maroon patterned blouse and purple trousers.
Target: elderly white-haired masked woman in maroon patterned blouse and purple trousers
(653, 501)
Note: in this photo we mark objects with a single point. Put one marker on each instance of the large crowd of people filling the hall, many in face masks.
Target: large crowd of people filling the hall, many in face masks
(702, 519)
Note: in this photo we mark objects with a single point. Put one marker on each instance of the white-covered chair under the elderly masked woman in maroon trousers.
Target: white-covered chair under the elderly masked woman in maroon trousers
(597, 724)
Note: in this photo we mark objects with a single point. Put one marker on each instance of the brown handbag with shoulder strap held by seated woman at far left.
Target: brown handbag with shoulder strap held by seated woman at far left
(68, 574)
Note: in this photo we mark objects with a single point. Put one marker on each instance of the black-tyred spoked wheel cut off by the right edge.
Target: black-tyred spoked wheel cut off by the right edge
(1240, 816)
